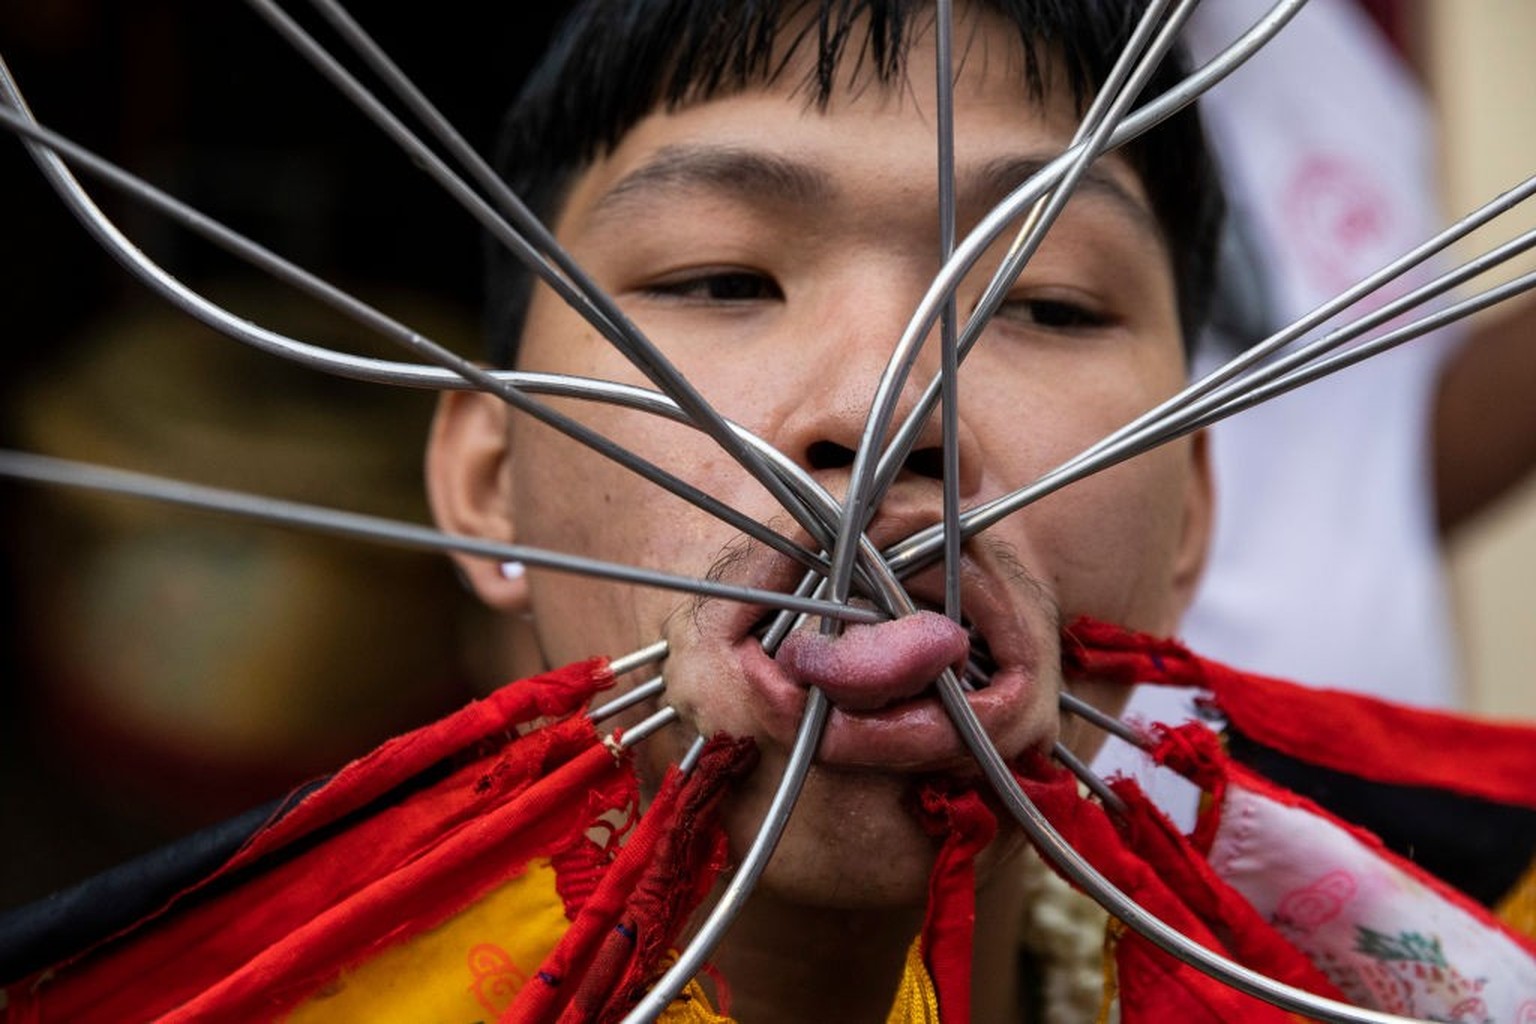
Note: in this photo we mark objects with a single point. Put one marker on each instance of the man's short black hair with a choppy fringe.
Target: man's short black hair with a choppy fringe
(615, 62)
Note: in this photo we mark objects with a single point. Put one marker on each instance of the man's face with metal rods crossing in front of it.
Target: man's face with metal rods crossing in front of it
(775, 253)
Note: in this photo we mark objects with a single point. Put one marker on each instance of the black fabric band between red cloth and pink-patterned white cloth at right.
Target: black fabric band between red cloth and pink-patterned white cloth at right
(1478, 847)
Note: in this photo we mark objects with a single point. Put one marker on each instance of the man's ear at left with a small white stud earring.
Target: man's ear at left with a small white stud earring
(469, 486)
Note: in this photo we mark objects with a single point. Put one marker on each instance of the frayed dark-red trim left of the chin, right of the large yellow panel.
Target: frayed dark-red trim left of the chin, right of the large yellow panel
(626, 927)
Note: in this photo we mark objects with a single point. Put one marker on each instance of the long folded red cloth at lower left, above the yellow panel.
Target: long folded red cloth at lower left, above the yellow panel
(305, 900)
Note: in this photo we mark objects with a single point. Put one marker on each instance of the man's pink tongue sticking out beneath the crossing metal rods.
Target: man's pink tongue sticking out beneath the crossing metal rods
(870, 667)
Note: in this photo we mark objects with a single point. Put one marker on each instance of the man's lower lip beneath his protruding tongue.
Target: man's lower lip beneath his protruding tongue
(910, 736)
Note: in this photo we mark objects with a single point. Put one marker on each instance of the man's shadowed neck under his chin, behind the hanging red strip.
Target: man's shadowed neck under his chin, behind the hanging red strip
(795, 963)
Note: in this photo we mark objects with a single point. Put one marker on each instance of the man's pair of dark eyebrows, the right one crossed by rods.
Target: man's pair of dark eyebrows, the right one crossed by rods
(773, 179)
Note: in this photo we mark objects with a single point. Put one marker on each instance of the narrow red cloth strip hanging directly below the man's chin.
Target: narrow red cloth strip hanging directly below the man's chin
(967, 827)
